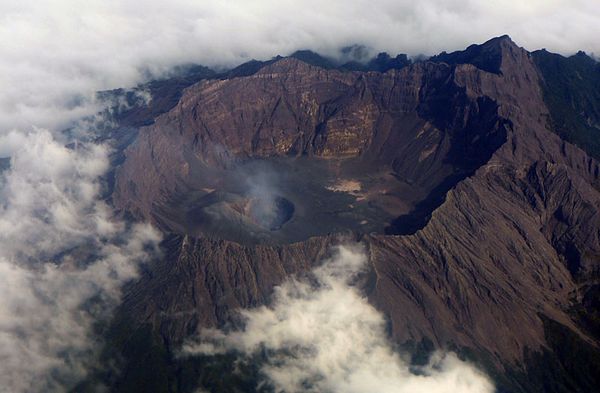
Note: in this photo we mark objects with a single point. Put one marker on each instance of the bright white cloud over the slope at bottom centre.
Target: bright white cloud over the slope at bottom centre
(324, 336)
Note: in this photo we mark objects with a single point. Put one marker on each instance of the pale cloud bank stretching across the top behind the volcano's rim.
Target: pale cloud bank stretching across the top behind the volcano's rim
(55, 54)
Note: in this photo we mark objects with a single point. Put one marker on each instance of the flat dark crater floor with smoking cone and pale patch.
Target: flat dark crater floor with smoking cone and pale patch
(284, 200)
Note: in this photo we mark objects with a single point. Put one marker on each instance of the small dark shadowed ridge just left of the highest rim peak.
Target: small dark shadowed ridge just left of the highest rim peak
(486, 56)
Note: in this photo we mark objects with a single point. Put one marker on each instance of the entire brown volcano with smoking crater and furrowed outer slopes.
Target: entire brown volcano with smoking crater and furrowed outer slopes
(480, 216)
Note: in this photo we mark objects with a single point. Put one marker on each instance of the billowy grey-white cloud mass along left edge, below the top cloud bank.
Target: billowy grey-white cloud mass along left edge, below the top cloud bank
(63, 259)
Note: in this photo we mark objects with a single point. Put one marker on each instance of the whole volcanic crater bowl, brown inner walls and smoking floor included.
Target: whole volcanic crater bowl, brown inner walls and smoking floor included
(295, 151)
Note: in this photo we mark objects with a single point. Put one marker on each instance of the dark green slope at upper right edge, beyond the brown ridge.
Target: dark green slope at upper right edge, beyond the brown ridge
(571, 87)
